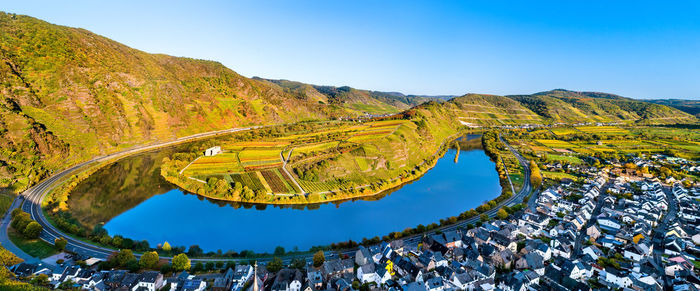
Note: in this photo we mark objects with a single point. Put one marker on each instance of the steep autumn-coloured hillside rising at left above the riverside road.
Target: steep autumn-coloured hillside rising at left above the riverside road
(69, 94)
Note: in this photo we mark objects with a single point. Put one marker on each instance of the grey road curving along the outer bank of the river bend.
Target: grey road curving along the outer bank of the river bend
(32, 204)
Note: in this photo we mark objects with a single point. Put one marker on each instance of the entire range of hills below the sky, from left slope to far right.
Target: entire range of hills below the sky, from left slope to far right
(67, 95)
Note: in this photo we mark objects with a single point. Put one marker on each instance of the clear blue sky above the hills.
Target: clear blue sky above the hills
(632, 48)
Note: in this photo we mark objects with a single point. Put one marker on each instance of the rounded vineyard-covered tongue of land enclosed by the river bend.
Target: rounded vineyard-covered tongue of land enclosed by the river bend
(314, 162)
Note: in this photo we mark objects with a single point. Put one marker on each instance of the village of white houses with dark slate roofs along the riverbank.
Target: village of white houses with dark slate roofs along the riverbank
(616, 229)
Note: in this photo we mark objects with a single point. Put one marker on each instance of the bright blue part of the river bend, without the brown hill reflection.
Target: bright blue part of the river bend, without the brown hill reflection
(184, 219)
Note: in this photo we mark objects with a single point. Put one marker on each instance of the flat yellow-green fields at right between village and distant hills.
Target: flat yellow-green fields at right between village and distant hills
(561, 145)
